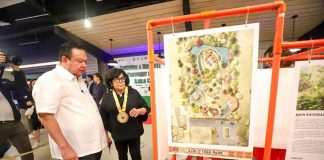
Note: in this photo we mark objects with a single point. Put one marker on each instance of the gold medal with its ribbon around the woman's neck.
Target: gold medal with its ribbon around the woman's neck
(122, 116)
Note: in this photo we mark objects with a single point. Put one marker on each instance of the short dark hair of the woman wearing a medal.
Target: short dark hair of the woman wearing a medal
(115, 73)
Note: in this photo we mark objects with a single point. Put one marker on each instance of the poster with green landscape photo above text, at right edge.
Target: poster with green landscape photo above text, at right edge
(306, 138)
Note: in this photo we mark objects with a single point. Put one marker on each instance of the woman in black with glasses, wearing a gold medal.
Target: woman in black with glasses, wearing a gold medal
(123, 111)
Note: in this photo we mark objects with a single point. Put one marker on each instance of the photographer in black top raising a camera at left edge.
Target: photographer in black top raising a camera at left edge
(11, 127)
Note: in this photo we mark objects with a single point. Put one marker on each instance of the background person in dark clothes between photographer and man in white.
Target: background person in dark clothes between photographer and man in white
(36, 125)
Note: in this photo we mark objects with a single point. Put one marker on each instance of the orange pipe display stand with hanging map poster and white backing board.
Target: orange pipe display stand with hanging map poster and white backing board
(217, 107)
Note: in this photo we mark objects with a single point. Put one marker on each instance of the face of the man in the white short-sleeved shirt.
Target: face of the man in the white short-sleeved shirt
(77, 65)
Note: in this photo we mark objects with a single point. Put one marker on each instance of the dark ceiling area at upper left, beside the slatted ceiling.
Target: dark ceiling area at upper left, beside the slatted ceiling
(30, 33)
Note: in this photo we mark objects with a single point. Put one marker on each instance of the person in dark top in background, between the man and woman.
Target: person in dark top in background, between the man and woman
(99, 89)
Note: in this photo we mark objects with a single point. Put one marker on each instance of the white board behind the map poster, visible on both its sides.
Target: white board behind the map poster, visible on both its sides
(284, 108)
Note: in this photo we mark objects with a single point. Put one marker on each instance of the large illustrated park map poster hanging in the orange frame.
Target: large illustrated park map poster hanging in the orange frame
(209, 96)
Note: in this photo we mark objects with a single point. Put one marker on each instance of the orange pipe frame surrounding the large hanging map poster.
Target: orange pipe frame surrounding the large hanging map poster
(276, 5)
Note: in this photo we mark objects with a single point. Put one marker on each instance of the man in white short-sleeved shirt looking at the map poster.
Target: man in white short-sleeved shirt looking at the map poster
(67, 110)
